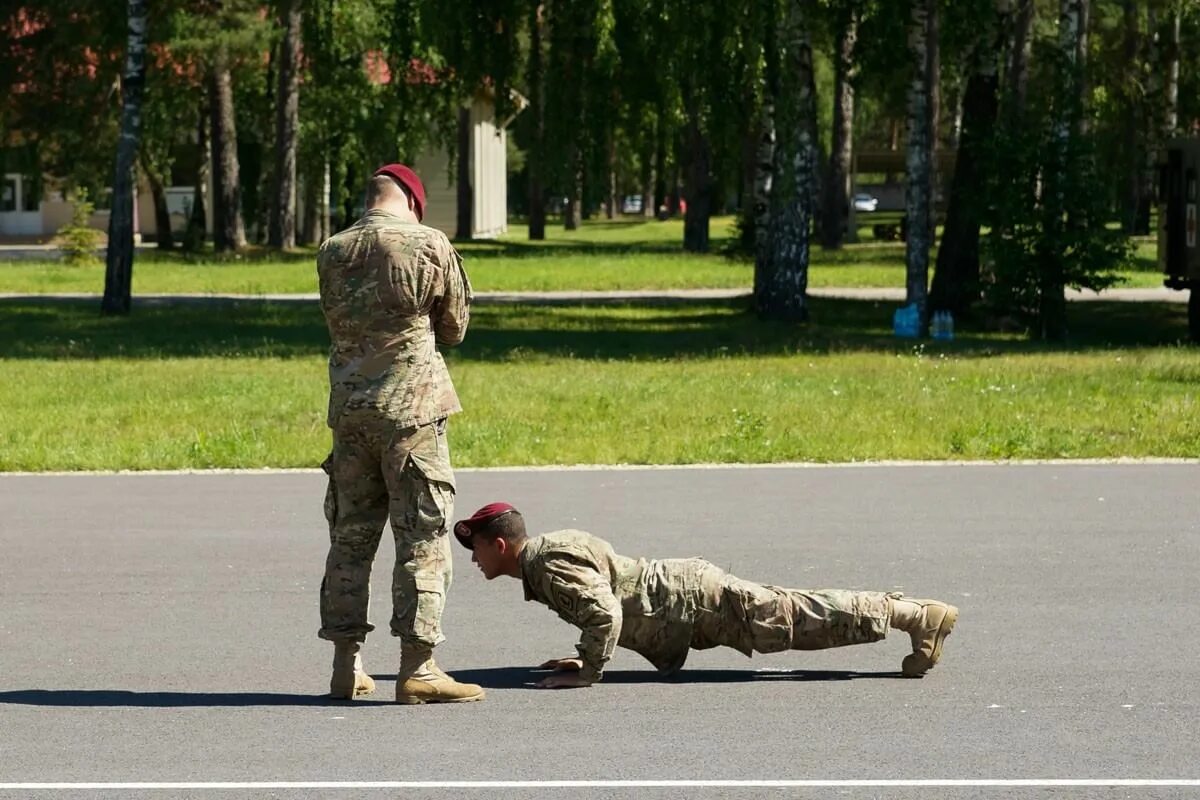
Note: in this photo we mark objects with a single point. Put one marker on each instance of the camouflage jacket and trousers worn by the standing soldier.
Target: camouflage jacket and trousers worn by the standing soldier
(391, 292)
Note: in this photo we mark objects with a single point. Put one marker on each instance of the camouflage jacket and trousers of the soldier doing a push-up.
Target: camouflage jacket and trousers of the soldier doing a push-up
(663, 609)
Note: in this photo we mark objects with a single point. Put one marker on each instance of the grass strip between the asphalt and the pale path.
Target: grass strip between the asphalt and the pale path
(244, 386)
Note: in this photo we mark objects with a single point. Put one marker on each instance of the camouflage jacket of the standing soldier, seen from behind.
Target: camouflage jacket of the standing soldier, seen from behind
(391, 292)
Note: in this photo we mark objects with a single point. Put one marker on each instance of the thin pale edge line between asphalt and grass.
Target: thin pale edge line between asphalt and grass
(633, 468)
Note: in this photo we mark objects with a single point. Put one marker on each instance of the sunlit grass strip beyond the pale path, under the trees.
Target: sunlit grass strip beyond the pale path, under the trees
(621, 255)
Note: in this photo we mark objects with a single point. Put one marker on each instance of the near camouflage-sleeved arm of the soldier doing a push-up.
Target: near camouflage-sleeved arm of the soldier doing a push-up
(584, 598)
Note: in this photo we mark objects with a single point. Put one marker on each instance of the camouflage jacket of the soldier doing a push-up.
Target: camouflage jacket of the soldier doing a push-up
(647, 606)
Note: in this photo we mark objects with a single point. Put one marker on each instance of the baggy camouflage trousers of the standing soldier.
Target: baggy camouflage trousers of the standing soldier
(380, 474)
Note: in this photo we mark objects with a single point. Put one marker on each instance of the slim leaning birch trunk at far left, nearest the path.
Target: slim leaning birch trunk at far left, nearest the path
(119, 258)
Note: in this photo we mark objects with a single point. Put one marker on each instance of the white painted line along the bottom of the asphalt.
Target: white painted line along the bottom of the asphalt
(617, 785)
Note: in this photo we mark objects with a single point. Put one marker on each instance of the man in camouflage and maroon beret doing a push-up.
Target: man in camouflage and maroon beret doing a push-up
(664, 609)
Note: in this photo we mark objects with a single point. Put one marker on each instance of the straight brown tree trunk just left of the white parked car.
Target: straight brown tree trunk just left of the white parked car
(838, 189)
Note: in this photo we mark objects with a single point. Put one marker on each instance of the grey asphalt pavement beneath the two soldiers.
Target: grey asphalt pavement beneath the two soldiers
(163, 628)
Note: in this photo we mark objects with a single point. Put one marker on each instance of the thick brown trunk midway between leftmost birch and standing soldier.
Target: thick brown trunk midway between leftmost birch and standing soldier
(229, 230)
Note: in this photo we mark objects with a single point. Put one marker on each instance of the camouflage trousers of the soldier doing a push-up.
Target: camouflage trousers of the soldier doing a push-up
(755, 618)
